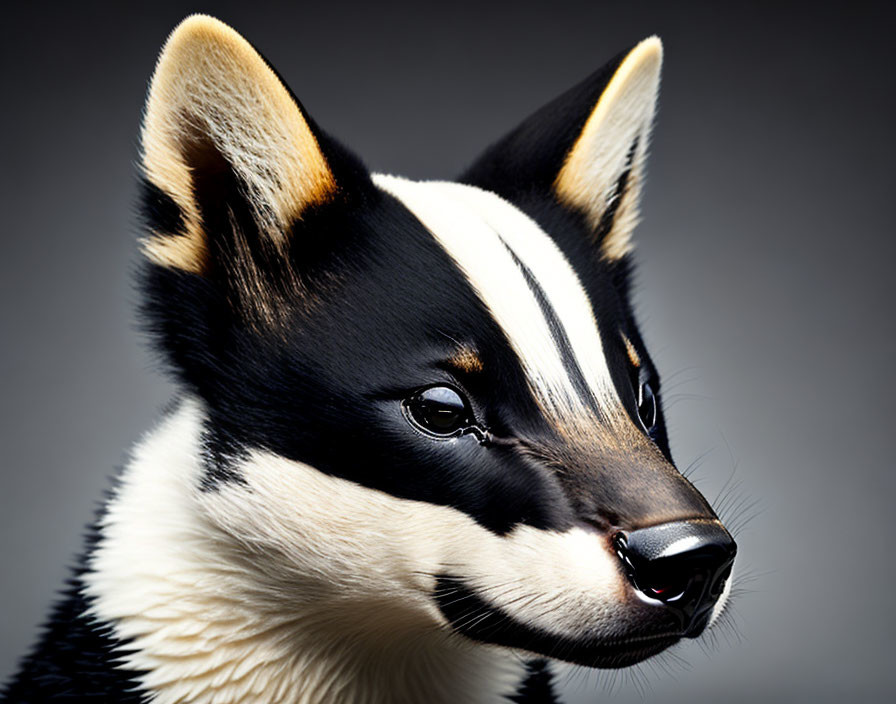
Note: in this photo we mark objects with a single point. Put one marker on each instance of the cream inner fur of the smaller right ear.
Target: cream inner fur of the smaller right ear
(609, 154)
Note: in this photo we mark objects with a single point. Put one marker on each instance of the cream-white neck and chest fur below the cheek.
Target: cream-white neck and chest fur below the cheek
(204, 629)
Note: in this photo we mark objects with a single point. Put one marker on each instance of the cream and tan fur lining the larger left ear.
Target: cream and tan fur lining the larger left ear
(209, 81)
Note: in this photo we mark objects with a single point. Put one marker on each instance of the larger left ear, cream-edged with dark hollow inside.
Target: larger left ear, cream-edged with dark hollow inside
(226, 147)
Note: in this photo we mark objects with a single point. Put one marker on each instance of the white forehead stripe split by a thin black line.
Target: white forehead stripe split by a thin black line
(483, 234)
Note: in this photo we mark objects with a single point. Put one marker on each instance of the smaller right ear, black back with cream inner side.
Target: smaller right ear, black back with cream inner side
(587, 148)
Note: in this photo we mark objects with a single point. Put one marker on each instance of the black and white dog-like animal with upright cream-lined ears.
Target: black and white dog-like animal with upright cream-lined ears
(420, 448)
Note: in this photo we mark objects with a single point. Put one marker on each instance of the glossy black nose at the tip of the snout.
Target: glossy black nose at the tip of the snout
(683, 564)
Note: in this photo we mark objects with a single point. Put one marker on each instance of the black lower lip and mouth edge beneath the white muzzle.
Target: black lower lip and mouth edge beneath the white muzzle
(471, 616)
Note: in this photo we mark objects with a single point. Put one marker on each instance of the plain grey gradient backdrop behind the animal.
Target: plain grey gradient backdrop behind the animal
(766, 284)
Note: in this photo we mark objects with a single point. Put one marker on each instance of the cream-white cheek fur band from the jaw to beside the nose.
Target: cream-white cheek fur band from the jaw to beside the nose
(308, 533)
